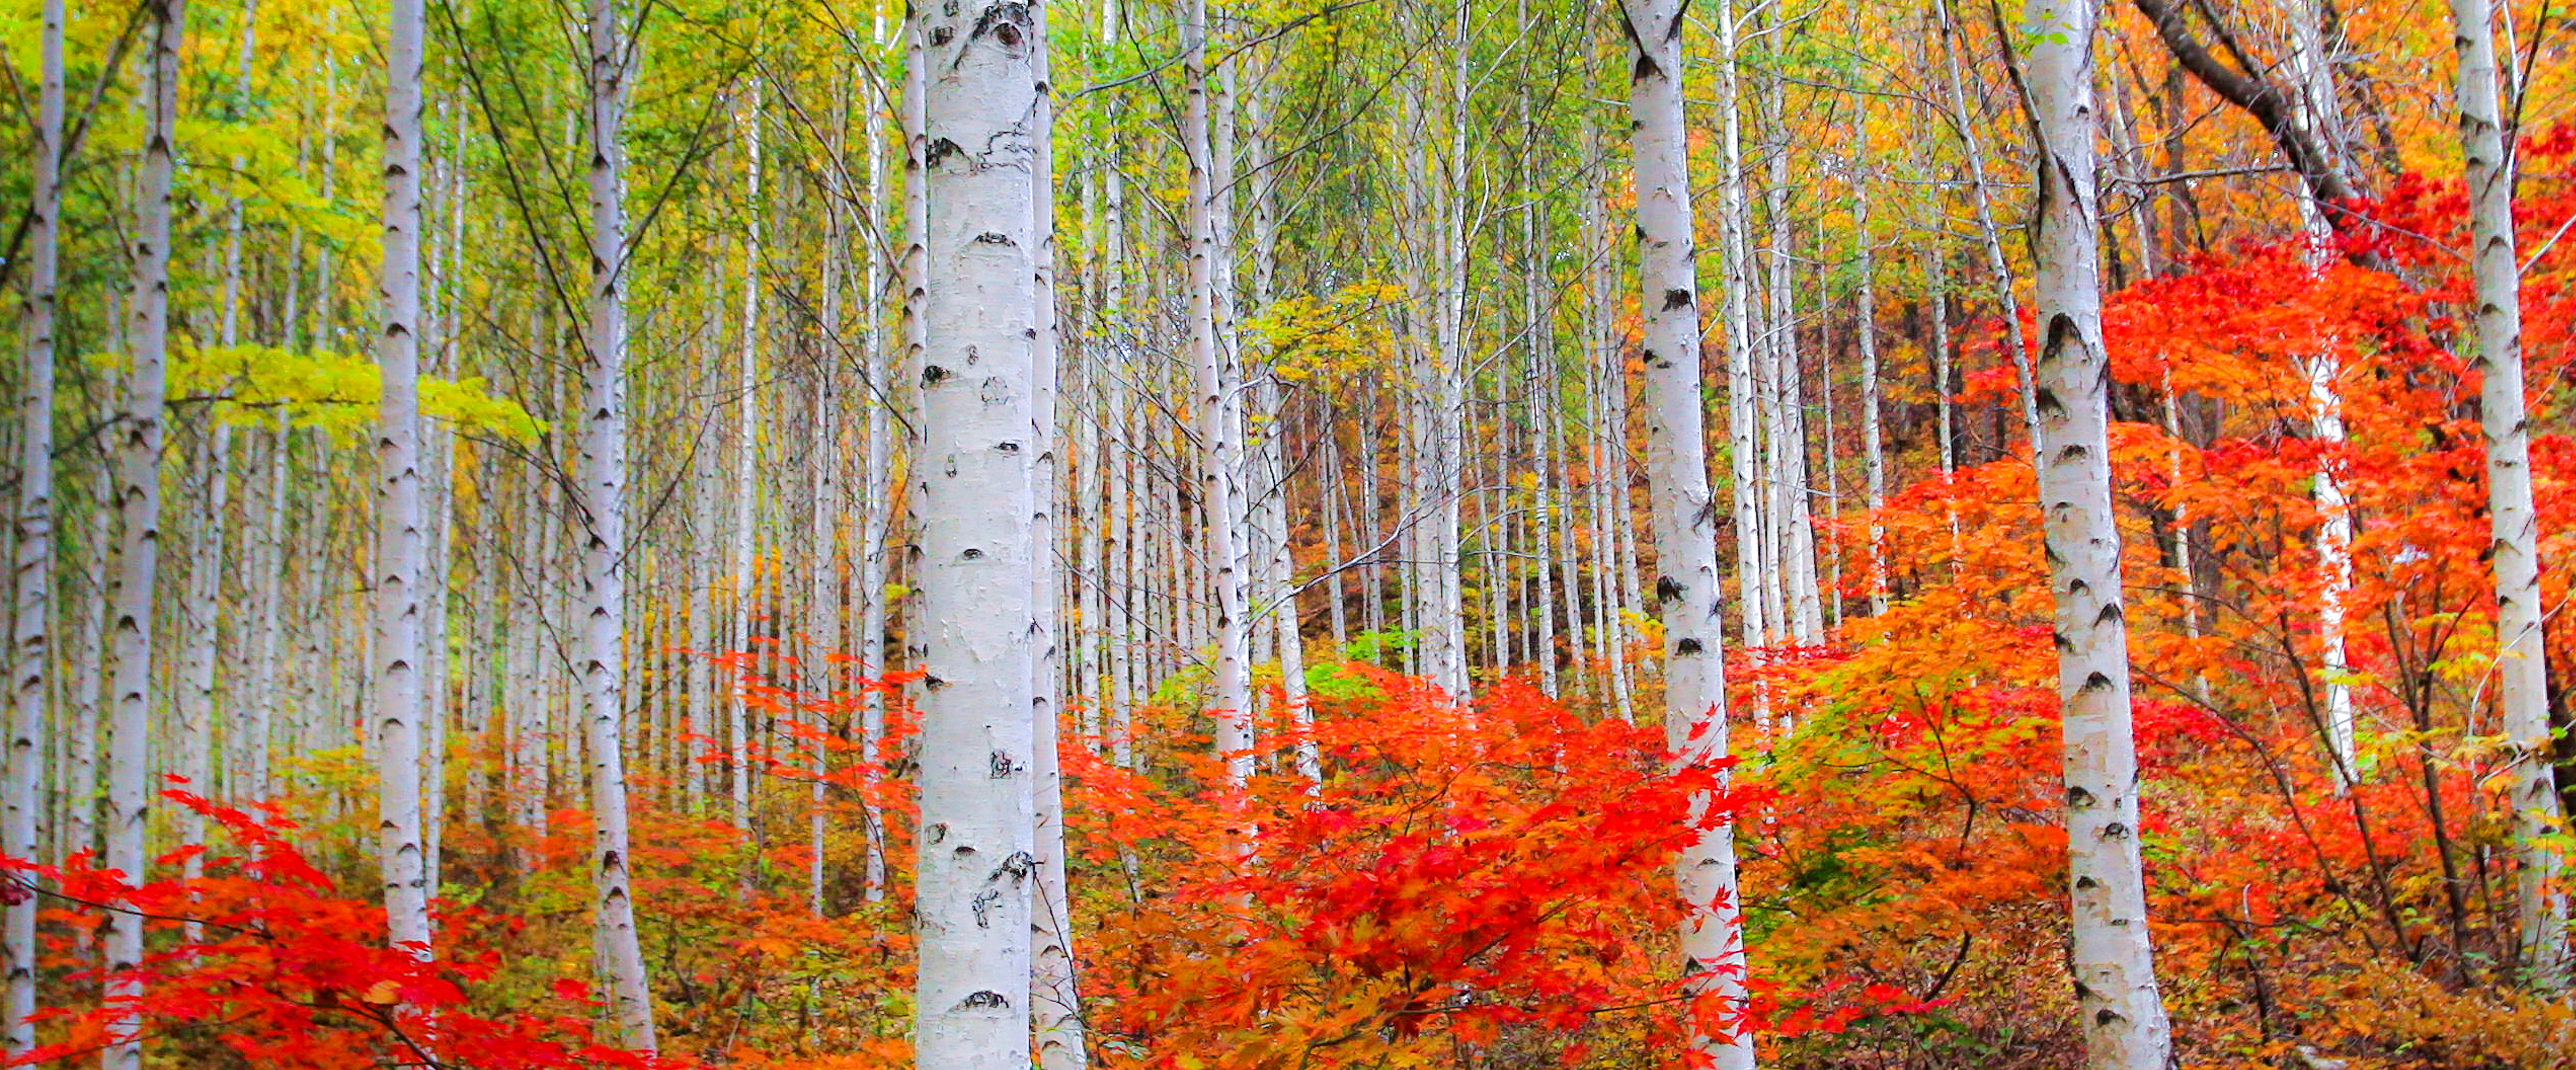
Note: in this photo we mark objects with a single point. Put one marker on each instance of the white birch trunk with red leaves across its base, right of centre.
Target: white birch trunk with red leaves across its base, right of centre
(1686, 545)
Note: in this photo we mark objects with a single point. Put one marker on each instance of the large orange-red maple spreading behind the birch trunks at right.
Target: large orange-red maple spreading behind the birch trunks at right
(2299, 911)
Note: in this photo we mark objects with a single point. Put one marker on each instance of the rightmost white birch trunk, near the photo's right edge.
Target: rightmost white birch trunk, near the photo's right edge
(2541, 904)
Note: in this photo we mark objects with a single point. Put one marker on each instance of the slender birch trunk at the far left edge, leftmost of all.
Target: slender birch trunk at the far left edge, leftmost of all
(32, 636)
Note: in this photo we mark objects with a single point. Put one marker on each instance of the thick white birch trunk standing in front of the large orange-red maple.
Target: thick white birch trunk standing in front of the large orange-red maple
(2114, 963)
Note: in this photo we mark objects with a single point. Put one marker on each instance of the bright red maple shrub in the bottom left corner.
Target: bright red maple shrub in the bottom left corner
(267, 963)
